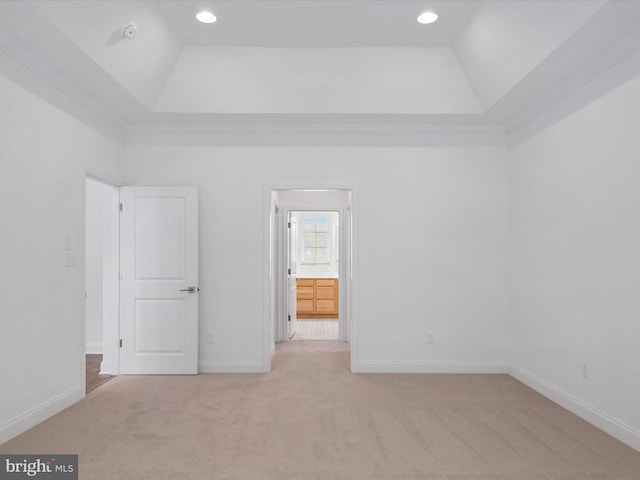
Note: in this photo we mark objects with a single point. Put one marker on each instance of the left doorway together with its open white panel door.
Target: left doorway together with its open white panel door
(159, 334)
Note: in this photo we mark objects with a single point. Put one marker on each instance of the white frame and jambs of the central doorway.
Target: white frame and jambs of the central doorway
(275, 291)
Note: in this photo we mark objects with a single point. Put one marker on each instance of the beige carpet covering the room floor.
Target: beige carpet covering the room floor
(312, 419)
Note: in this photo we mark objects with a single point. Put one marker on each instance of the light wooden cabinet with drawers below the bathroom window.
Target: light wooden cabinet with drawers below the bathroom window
(317, 298)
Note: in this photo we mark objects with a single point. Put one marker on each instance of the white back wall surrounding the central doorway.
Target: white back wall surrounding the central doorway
(439, 266)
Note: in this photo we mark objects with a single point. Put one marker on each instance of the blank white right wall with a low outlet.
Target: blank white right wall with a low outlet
(575, 261)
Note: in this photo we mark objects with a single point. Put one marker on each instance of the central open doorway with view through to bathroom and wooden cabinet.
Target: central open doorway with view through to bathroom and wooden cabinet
(305, 271)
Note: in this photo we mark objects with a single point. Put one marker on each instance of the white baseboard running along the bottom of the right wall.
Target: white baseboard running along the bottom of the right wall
(612, 426)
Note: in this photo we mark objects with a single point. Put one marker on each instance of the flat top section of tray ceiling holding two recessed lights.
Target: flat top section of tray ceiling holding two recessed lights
(319, 24)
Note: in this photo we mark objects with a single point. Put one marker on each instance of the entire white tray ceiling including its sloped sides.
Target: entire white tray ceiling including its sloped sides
(319, 61)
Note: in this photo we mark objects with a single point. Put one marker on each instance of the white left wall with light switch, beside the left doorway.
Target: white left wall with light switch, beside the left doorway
(44, 156)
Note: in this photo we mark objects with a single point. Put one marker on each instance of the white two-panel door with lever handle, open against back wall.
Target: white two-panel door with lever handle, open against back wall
(159, 280)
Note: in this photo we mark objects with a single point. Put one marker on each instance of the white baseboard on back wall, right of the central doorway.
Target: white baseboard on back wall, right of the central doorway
(431, 367)
